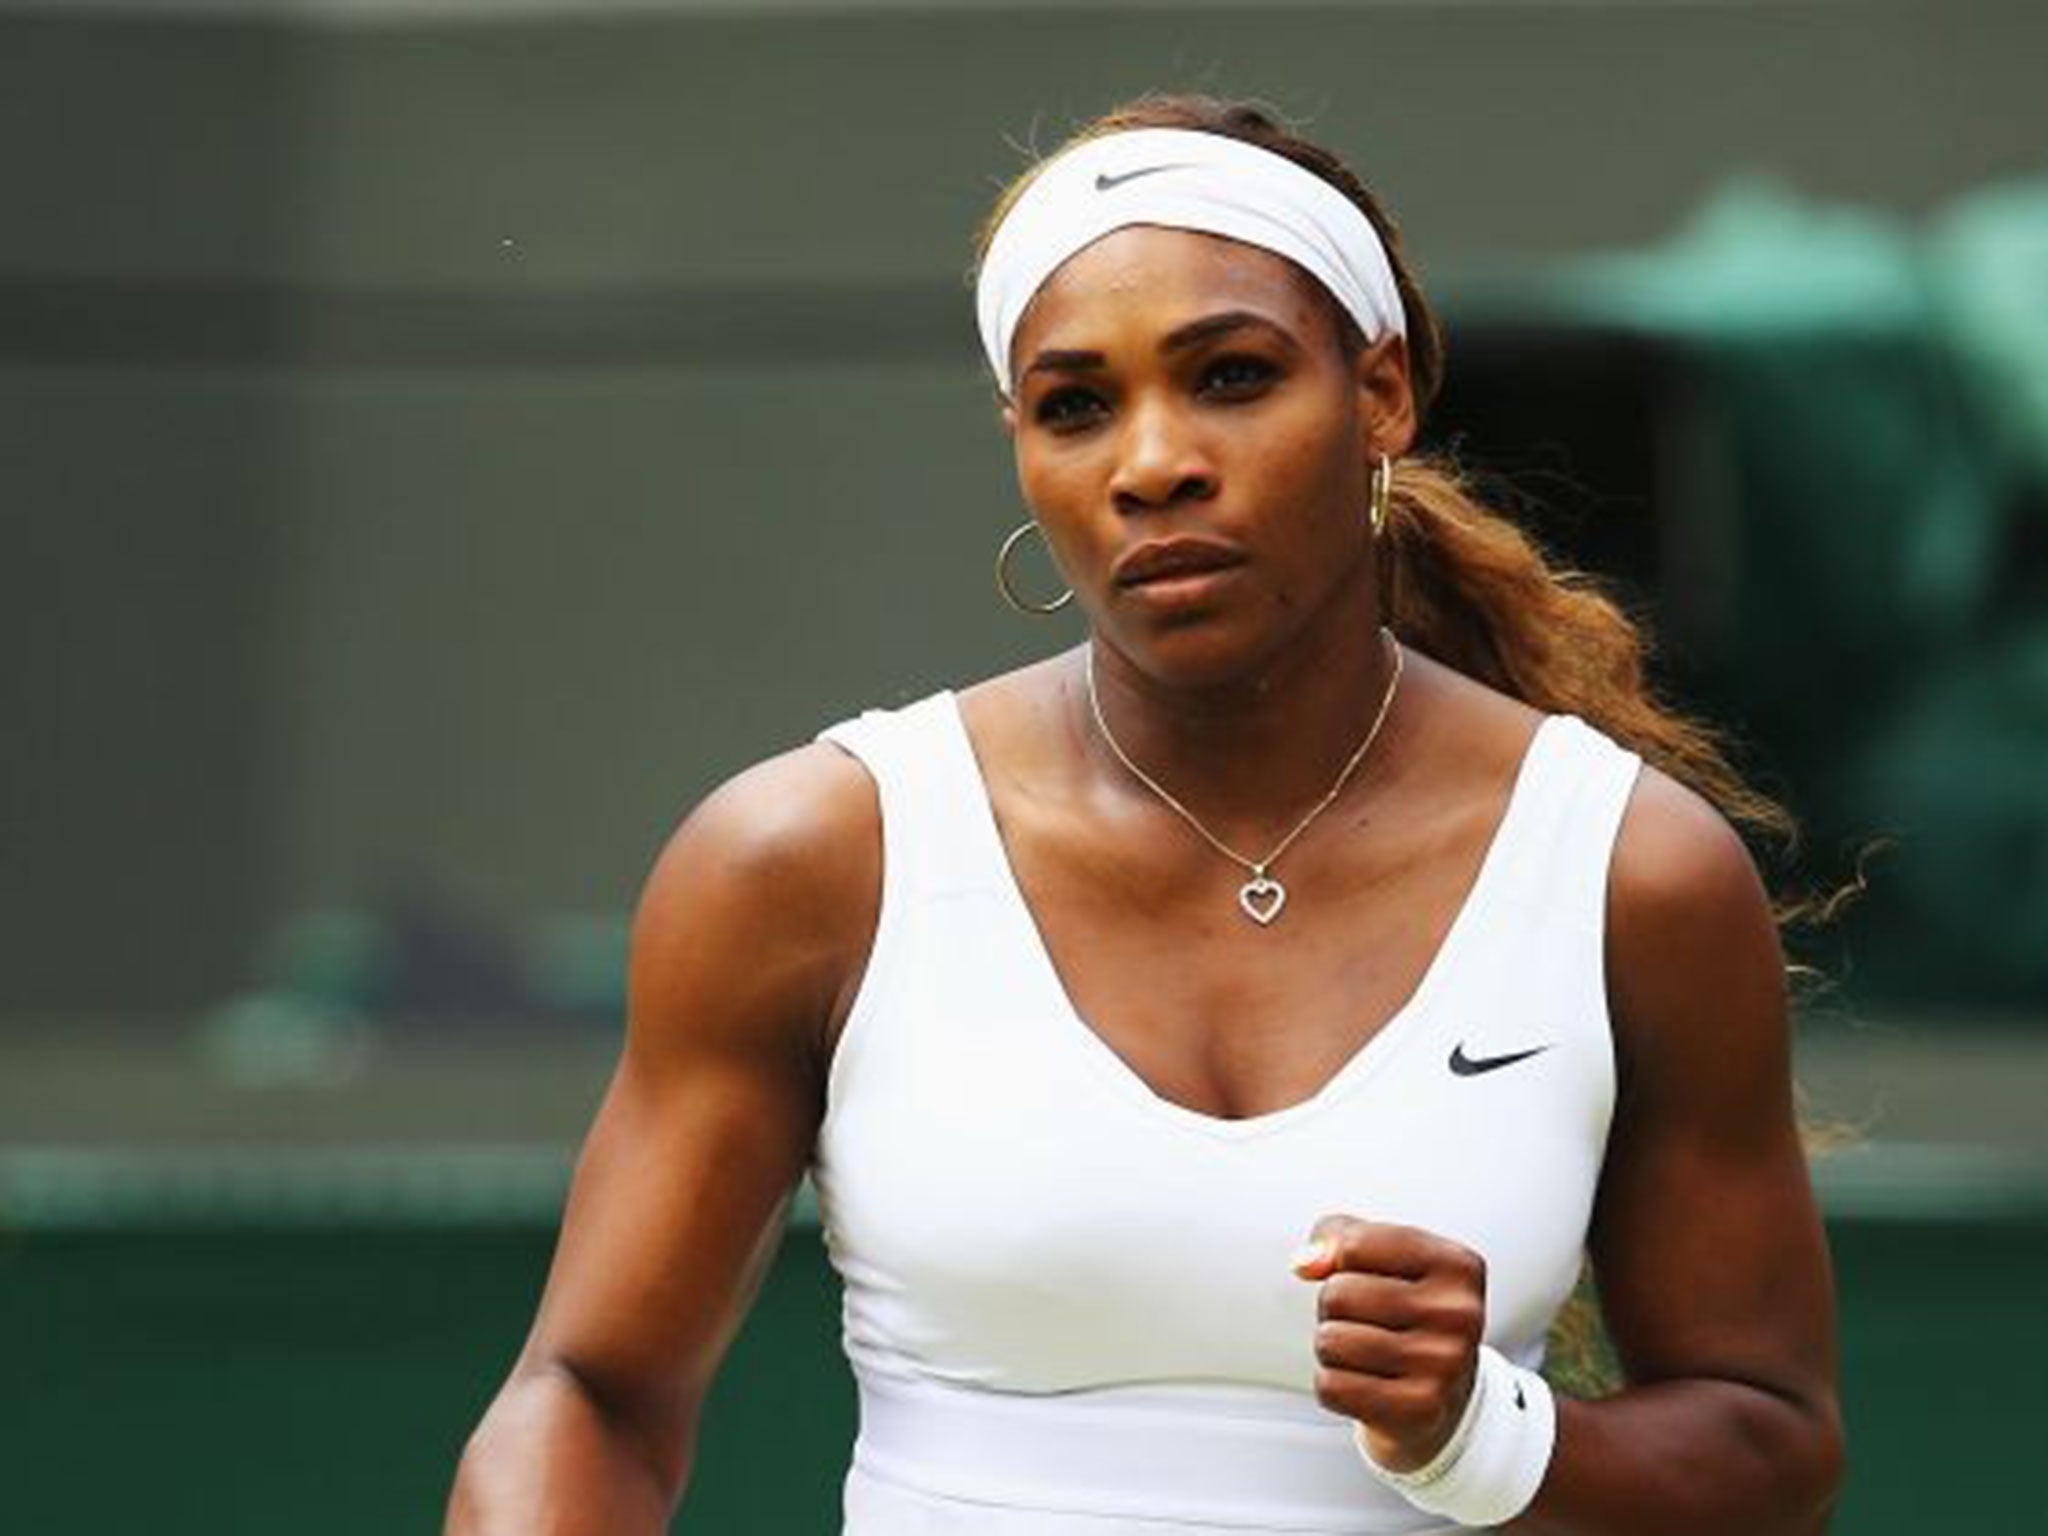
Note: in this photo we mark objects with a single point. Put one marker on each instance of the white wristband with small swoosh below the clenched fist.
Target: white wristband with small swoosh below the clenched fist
(1494, 1461)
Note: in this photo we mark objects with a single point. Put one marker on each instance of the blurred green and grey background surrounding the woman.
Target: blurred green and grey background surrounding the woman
(443, 439)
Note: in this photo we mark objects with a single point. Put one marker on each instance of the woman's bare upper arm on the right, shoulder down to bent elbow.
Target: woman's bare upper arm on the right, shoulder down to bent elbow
(1707, 1246)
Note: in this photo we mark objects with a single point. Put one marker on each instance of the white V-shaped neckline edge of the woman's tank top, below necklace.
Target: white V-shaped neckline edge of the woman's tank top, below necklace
(1375, 1050)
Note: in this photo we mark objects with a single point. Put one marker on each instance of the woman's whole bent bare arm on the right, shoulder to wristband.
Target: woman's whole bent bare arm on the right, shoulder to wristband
(1707, 1244)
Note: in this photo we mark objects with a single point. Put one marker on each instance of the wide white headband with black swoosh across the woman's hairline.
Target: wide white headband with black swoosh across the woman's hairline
(1181, 179)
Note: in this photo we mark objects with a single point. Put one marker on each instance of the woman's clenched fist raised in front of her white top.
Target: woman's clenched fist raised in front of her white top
(1400, 1322)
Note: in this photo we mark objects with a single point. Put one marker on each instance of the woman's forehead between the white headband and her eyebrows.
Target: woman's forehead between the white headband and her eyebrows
(1166, 278)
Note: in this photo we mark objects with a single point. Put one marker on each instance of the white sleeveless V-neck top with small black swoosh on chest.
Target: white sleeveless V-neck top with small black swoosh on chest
(1068, 1302)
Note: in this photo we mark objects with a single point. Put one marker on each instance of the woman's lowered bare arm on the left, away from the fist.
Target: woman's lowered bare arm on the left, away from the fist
(746, 951)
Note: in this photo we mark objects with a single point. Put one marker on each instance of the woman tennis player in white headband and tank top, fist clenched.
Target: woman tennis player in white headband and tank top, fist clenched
(1220, 1046)
